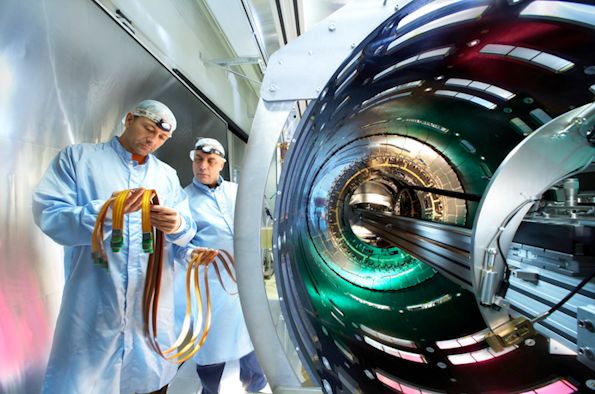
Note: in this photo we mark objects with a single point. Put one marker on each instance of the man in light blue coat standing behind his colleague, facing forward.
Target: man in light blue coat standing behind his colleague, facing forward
(228, 345)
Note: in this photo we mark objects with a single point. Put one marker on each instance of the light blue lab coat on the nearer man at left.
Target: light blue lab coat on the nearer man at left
(99, 345)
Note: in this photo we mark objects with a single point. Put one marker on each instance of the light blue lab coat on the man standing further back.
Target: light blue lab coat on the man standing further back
(213, 213)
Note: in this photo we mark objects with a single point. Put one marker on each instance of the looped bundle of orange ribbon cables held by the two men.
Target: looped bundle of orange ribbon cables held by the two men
(188, 342)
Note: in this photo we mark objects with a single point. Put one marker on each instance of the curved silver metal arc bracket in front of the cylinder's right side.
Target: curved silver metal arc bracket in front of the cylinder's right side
(563, 151)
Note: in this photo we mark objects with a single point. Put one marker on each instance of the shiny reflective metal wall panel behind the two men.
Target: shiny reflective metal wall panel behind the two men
(68, 73)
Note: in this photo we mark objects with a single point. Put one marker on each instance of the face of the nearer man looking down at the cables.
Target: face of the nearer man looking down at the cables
(142, 136)
